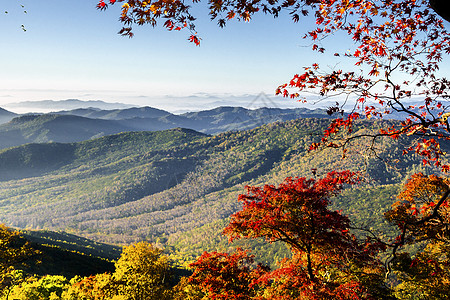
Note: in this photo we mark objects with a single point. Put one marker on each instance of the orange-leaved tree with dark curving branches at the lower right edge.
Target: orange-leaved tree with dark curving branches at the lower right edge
(423, 216)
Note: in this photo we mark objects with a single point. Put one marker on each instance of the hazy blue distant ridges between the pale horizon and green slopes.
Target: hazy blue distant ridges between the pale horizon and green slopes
(87, 123)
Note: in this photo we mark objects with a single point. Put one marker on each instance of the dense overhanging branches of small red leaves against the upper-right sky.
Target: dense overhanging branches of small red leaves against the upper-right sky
(399, 46)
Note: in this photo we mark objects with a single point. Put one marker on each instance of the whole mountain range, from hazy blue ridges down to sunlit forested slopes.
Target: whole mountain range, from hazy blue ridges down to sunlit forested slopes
(128, 174)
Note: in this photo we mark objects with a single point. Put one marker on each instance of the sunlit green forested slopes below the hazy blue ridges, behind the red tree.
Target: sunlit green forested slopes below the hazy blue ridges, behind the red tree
(175, 186)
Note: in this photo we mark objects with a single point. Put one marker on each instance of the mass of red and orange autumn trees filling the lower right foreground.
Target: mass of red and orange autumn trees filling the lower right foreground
(327, 260)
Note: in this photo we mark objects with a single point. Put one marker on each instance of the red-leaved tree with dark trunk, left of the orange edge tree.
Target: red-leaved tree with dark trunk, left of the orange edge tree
(327, 260)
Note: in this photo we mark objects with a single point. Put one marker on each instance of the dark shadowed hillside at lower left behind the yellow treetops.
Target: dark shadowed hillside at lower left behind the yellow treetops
(57, 253)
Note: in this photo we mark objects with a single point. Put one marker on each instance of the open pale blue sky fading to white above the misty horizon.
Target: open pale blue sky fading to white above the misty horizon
(72, 50)
